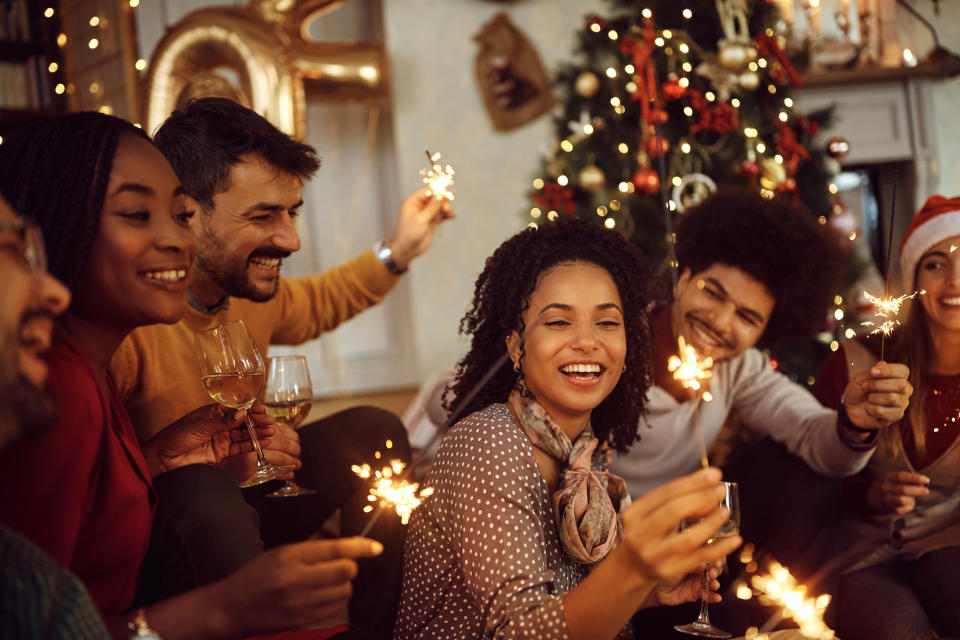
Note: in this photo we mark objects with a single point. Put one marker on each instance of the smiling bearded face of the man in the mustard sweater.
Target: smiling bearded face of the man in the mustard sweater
(250, 229)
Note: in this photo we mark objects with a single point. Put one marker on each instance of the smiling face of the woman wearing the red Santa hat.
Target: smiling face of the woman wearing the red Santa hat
(938, 273)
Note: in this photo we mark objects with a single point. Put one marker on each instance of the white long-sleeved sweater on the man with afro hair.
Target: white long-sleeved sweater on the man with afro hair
(765, 400)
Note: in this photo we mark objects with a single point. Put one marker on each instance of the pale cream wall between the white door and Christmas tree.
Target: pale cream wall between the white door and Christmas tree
(437, 105)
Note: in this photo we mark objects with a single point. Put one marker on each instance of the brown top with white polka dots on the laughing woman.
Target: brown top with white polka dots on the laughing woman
(482, 557)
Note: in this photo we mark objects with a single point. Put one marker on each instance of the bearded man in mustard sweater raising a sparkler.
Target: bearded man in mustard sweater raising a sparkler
(246, 177)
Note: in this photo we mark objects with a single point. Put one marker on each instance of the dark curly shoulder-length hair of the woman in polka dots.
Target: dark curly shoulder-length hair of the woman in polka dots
(502, 295)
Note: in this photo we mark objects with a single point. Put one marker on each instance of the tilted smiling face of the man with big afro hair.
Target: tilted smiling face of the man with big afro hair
(721, 311)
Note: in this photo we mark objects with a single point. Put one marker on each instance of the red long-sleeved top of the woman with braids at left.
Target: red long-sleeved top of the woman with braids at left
(82, 492)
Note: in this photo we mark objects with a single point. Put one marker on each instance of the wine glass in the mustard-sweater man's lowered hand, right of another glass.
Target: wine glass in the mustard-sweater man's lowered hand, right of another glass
(288, 396)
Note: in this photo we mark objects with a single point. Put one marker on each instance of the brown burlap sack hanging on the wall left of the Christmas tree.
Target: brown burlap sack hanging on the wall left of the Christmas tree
(510, 74)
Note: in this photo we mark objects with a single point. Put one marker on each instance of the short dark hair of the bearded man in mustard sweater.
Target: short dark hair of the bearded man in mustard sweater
(208, 136)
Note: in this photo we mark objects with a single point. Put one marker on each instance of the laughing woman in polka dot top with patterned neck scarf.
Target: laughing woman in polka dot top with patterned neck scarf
(526, 534)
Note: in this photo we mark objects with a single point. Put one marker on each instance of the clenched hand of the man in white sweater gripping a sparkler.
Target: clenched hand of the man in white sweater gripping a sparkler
(878, 397)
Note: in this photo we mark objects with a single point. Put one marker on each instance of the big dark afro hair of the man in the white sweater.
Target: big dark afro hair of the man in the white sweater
(778, 243)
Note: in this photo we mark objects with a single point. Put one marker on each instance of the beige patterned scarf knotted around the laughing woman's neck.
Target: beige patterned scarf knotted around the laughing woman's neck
(588, 502)
